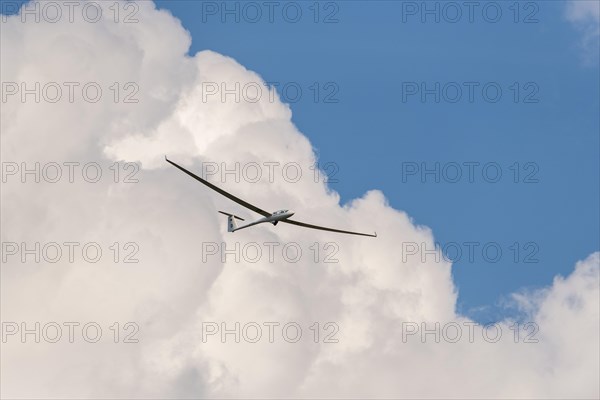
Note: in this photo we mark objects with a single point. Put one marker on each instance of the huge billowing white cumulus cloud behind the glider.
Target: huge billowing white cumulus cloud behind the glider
(374, 297)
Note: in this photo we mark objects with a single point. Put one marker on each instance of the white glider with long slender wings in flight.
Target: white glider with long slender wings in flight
(274, 218)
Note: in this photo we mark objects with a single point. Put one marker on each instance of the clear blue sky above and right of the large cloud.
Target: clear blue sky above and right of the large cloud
(370, 54)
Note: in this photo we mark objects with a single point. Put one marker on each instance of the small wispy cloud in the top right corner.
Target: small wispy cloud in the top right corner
(585, 16)
